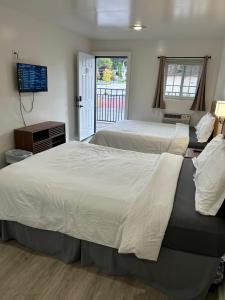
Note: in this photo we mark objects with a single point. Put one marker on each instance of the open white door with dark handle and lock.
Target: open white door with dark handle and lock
(85, 102)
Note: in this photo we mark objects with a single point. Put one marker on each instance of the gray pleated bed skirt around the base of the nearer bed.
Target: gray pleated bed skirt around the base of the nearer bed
(181, 275)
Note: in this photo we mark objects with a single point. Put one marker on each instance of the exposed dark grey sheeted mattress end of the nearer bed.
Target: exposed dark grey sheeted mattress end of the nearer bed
(188, 230)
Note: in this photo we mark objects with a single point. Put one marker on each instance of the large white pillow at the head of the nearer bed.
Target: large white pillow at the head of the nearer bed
(210, 179)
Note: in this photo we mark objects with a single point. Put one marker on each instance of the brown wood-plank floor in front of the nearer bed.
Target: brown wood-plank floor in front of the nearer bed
(27, 275)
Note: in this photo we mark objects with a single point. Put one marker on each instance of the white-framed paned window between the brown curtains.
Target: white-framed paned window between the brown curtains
(181, 79)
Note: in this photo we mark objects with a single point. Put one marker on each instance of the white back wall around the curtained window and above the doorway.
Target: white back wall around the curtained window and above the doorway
(144, 70)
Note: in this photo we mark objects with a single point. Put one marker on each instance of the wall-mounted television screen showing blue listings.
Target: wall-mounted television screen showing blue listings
(32, 78)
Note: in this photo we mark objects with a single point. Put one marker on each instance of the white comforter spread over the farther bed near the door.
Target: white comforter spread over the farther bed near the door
(148, 137)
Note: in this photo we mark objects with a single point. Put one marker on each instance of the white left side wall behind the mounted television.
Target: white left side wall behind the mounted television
(44, 44)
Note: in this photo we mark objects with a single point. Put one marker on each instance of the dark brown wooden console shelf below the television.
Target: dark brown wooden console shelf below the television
(40, 137)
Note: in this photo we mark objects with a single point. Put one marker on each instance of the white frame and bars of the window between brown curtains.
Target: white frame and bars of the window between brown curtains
(185, 63)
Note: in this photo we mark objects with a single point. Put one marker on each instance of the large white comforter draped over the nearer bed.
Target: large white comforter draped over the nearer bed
(112, 197)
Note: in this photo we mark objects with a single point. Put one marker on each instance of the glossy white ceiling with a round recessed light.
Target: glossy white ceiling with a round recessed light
(110, 19)
